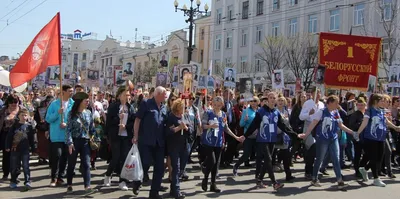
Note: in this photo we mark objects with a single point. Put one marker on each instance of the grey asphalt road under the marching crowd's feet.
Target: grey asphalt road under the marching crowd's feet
(233, 187)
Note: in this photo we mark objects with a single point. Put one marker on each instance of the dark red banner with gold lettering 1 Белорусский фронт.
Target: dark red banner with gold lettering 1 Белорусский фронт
(348, 60)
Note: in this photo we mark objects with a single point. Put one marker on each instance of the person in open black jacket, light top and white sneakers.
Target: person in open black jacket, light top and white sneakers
(119, 130)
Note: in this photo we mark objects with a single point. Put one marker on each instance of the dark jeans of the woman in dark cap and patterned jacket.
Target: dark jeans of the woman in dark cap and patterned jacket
(82, 148)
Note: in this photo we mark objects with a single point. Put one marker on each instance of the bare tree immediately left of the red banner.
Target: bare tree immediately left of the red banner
(301, 57)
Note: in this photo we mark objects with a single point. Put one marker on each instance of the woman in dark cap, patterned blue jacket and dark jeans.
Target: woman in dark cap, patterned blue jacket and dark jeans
(78, 133)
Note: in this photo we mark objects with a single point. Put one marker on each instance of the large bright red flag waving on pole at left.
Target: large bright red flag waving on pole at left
(44, 51)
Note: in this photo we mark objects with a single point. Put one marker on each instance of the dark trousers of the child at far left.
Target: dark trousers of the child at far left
(15, 162)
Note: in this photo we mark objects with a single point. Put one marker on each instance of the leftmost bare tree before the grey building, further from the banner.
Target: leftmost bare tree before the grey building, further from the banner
(273, 53)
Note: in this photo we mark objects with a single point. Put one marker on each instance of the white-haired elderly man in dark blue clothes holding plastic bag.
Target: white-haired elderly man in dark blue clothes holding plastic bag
(149, 134)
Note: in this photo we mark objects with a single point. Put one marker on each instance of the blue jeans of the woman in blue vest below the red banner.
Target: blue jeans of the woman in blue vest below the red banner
(323, 147)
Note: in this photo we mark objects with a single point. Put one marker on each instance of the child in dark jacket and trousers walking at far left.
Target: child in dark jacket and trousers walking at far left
(18, 142)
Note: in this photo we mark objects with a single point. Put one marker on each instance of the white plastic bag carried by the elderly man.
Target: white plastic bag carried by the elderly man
(132, 170)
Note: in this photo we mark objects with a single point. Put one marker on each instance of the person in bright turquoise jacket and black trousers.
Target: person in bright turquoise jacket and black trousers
(57, 117)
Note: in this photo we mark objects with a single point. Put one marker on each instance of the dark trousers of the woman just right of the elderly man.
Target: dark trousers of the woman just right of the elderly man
(179, 158)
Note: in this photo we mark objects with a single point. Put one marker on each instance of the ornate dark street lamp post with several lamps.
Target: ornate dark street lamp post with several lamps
(191, 12)
